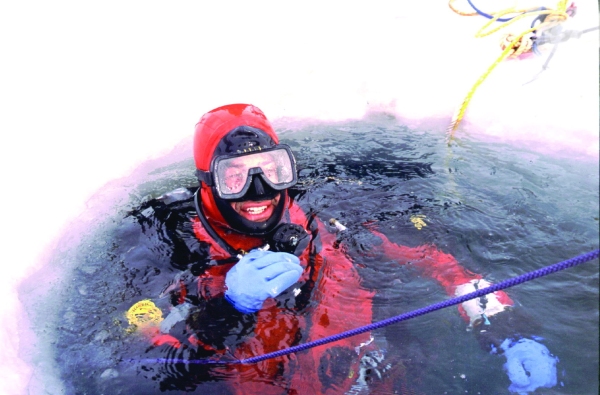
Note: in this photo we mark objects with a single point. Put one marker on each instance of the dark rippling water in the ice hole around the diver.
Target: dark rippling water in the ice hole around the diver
(499, 210)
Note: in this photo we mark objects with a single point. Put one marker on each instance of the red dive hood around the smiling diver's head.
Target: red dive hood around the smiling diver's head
(212, 127)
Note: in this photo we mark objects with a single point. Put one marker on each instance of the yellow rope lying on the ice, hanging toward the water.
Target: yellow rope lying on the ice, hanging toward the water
(511, 46)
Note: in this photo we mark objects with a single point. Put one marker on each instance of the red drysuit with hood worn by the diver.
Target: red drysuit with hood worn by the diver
(328, 298)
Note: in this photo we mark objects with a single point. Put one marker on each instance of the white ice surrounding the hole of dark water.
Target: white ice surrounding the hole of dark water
(89, 90)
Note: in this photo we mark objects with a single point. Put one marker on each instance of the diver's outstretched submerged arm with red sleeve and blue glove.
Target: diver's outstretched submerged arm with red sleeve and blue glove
(499, 327)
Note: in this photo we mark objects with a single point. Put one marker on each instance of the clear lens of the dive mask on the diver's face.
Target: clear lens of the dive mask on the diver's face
(232, 174)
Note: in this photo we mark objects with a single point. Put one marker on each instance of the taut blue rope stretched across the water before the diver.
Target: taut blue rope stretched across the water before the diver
(412, 314)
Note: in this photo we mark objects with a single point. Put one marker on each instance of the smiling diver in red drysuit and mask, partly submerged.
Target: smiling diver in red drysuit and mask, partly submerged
(256, 274)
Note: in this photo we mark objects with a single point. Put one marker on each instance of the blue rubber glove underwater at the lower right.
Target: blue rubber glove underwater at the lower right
(529, 365)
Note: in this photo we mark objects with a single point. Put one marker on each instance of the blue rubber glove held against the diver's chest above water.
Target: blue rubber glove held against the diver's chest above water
(258, 276)
